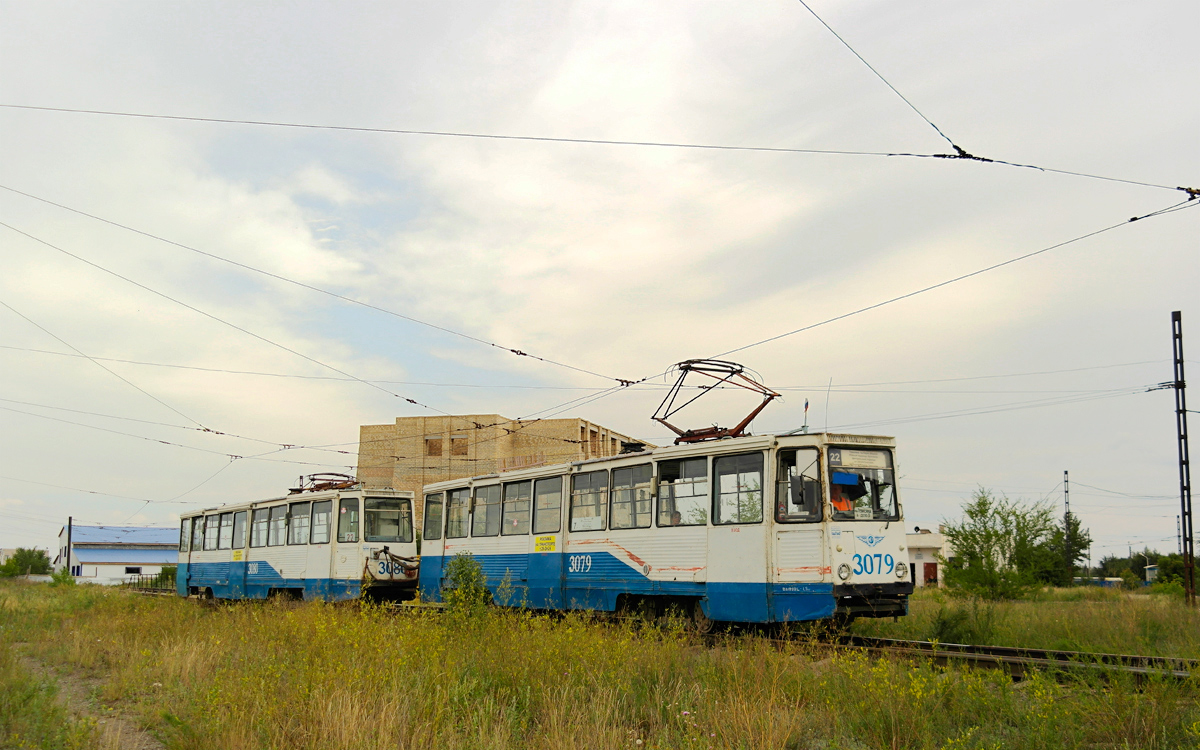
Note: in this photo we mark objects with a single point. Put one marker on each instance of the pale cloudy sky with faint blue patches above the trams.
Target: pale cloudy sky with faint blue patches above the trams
(616, 260)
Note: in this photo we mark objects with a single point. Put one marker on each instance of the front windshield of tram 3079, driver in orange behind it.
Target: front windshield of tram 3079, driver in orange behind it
(862, 485)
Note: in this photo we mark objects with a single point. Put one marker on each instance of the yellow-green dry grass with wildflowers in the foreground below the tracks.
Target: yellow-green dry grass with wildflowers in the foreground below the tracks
(255, 676)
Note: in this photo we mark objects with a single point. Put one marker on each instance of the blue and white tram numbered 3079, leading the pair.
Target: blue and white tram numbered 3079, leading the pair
(688, 526)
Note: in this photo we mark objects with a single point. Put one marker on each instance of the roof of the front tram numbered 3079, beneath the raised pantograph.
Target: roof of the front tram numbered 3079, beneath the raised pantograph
(686, 451)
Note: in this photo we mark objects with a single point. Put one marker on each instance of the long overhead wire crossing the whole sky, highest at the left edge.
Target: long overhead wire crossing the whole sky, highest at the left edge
(958, 155)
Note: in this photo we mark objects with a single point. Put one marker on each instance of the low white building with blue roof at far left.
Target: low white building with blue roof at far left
(110, 555)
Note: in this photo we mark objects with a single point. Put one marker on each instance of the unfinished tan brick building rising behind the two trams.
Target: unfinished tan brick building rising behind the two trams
(419, 451)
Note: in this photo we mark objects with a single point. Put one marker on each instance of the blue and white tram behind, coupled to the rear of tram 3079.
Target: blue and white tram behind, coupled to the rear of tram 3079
(309, 545)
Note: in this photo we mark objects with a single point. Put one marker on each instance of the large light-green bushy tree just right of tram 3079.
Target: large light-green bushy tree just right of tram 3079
(1000, 547)
